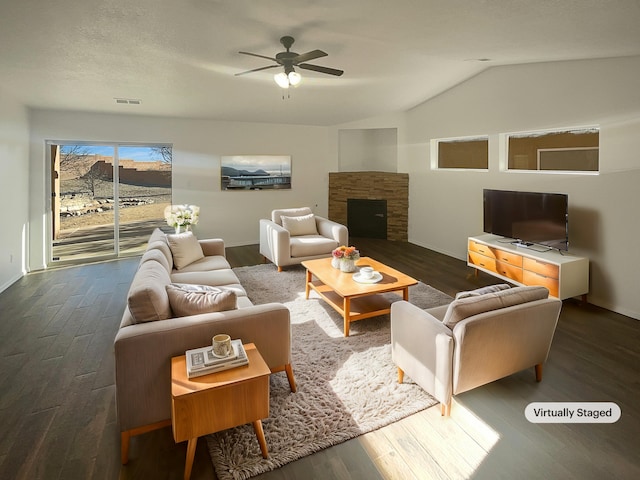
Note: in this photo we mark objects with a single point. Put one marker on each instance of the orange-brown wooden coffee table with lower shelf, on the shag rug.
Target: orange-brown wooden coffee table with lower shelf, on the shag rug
(353, 300)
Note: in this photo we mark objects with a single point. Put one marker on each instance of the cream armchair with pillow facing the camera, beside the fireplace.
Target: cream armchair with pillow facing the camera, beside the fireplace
(294, 235)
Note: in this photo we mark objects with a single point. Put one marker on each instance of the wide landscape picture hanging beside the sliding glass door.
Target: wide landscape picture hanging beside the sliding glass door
(255, 172)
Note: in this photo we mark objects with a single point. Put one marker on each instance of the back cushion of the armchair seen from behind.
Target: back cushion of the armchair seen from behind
(467, 307)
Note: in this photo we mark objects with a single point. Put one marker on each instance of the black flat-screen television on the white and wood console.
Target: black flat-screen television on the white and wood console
(528, 217)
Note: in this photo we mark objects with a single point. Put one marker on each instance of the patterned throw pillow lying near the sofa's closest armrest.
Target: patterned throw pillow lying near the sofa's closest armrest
(188, 300)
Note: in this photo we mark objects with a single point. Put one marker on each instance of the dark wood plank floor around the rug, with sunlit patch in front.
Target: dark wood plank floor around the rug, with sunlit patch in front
(58, 419)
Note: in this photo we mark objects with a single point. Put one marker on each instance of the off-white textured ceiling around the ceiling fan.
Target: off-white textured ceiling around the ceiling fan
(179, 57)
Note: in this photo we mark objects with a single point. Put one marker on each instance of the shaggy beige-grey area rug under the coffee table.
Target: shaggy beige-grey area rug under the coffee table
(346, 386)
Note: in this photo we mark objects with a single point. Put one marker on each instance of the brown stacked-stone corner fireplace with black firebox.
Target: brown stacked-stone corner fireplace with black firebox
(388, 186)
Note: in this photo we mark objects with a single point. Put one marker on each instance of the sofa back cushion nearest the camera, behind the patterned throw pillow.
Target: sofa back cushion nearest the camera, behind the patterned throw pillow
(147, 299)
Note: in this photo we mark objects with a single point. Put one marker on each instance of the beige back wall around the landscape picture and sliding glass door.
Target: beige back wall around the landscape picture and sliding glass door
(197, 148)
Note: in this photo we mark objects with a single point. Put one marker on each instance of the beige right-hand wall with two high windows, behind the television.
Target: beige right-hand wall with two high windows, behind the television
(446, 206)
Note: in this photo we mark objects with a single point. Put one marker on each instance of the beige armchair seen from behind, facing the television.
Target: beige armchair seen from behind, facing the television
(476, 339)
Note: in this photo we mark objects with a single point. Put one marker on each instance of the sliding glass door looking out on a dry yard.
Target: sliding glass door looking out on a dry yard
(106, 199)
